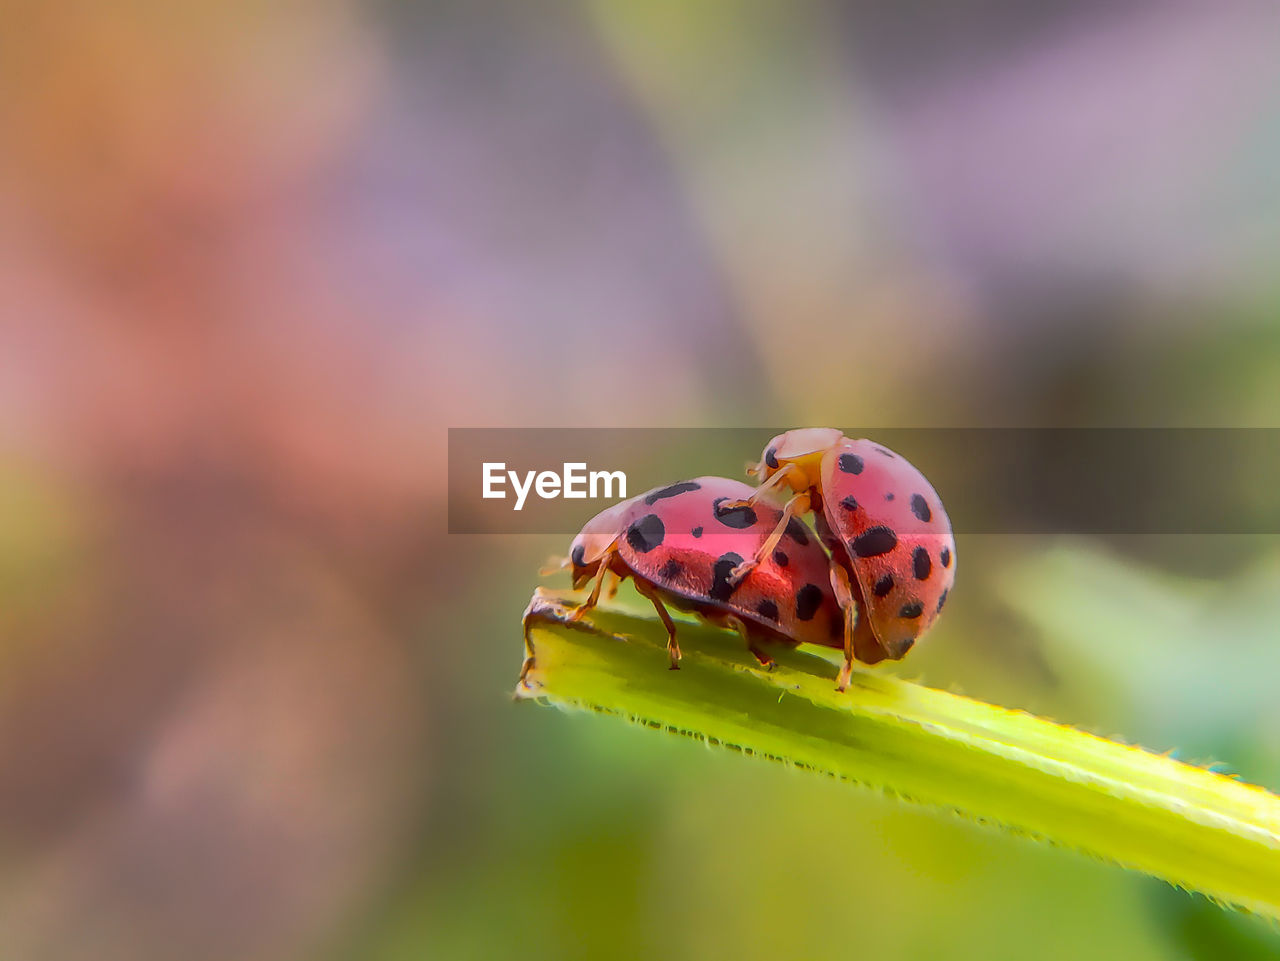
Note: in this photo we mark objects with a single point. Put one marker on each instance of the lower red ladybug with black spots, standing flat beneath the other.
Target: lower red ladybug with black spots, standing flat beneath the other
(680, 546)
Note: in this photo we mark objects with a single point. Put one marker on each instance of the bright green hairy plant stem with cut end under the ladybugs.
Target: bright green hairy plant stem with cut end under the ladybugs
(1150, 813)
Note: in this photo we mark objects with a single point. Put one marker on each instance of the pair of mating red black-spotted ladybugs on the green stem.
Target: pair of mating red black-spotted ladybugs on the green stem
(712, 547)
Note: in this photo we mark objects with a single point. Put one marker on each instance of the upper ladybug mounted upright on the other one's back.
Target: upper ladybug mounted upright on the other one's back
(893, 553)
